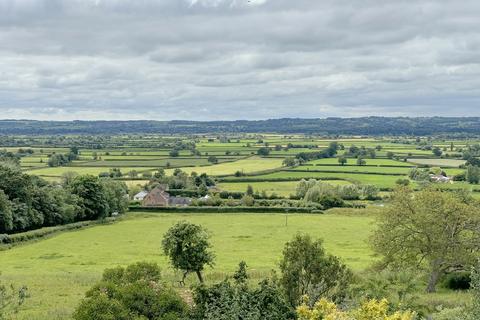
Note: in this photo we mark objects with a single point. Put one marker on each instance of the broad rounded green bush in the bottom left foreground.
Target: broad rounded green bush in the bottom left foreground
(135, 292)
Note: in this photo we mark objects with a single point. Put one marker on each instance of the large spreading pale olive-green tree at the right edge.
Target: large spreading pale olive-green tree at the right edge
(435, 230)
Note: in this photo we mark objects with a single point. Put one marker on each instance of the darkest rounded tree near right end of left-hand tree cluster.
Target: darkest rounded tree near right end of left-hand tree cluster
(92, 196)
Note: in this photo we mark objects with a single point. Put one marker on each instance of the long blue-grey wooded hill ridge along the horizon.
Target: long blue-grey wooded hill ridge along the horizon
(327, 126)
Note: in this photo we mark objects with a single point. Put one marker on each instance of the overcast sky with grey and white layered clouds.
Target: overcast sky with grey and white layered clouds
(238, 59)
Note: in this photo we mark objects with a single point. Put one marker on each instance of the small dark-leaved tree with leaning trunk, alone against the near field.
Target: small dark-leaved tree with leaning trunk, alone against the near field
(187, 246)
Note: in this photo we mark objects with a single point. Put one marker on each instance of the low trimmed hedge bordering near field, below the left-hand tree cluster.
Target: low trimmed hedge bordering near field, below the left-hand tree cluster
(9, 240)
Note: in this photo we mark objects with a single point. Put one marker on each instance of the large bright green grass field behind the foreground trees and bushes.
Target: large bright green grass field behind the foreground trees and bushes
(60, 269)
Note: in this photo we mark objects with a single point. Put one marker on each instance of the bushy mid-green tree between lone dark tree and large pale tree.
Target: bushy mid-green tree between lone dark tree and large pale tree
(308, 270)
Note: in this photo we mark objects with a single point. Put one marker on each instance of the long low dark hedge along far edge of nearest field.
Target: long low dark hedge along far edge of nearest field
(226, 209)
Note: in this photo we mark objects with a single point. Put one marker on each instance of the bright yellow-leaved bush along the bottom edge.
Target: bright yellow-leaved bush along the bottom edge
(370, 310)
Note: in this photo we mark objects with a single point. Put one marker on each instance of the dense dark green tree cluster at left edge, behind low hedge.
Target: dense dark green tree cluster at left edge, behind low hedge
(29, 202)
